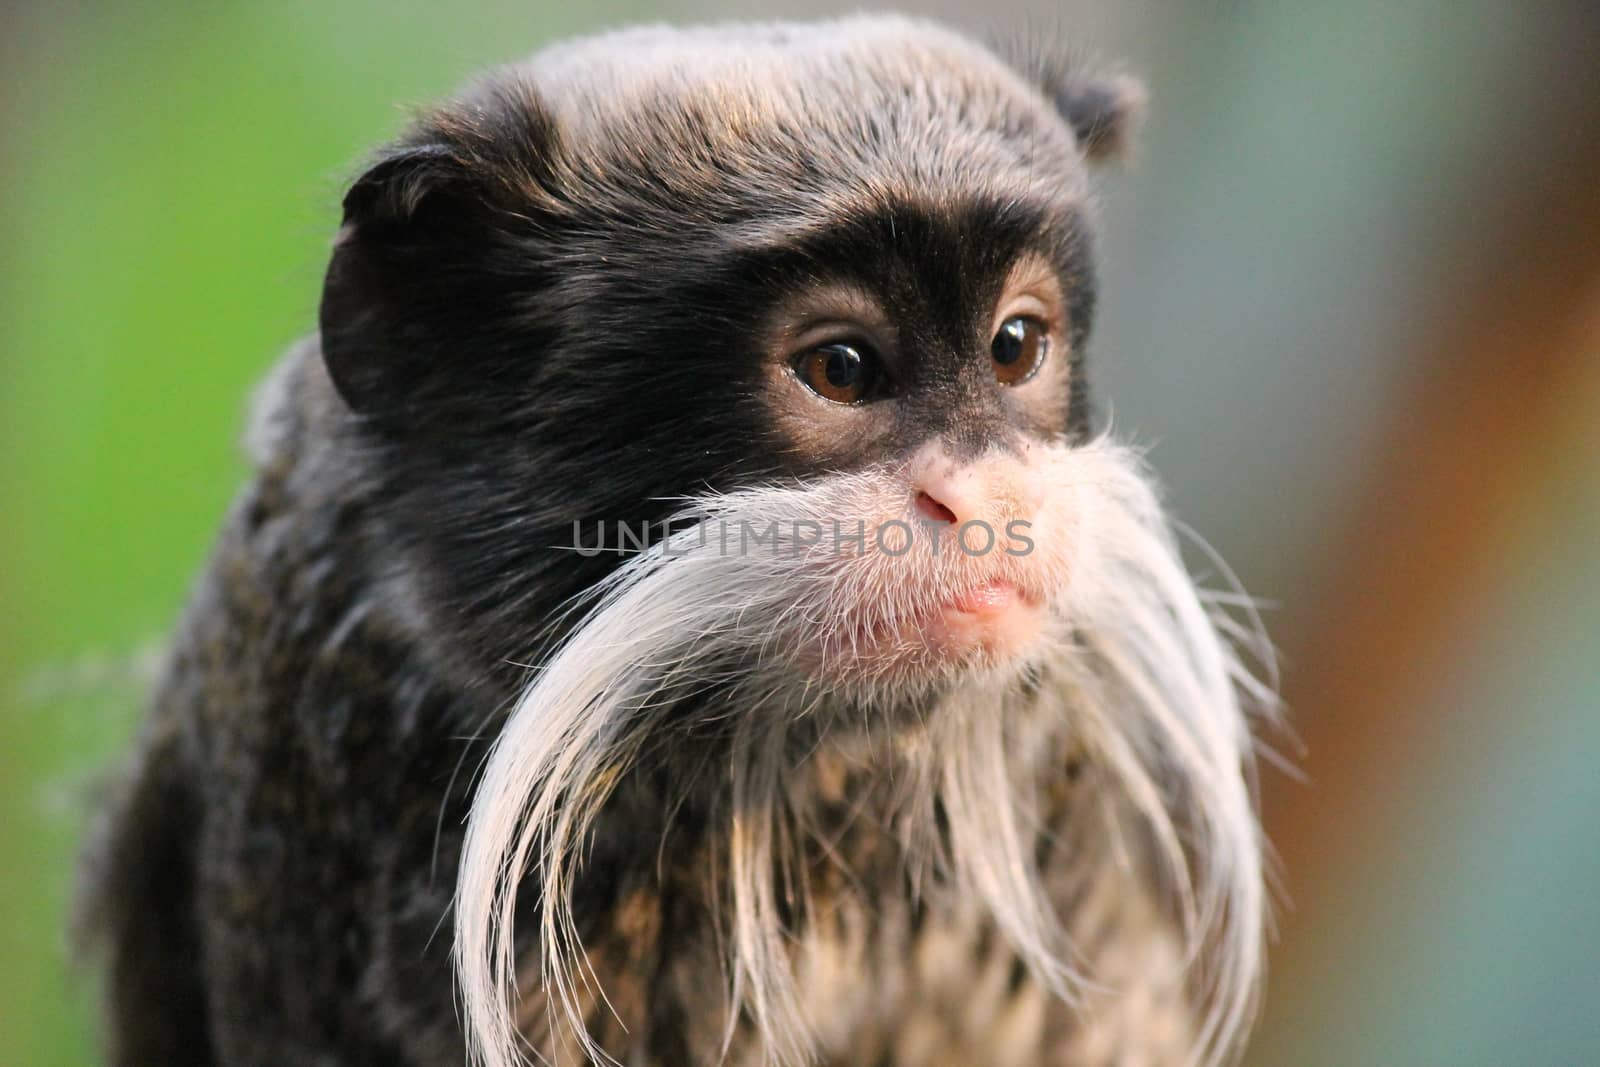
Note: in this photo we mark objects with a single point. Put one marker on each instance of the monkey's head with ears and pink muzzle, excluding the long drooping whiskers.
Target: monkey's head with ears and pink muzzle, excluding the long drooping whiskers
(847, 266)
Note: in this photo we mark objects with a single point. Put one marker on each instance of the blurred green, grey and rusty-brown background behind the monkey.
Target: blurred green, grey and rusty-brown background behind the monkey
(1353, 302)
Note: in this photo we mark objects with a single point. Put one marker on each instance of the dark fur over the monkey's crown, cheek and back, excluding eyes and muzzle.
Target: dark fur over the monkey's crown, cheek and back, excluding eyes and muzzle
(538, 310)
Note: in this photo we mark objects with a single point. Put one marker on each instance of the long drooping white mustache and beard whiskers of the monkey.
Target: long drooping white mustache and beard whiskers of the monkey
(1134, 661)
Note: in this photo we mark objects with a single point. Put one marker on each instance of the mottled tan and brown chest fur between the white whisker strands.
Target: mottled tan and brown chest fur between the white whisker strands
(894, 964)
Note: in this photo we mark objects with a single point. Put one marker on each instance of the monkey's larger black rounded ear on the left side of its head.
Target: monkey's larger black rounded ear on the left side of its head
(398, 258)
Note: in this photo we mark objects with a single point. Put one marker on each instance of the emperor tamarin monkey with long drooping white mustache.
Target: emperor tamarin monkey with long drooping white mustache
(682, 615)
